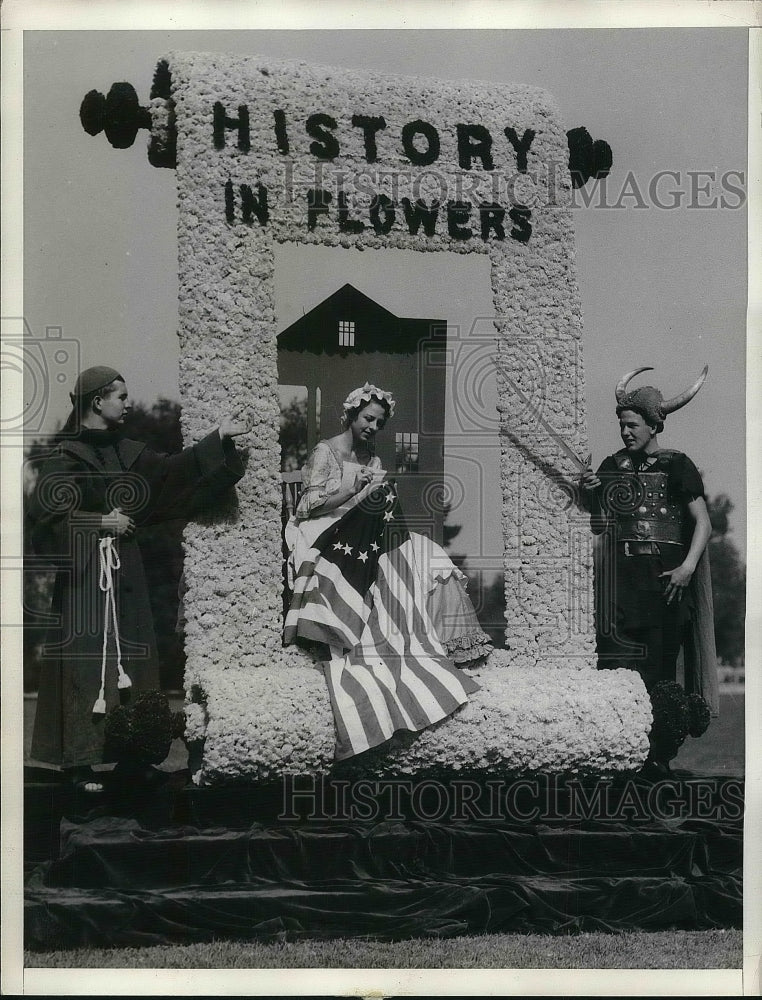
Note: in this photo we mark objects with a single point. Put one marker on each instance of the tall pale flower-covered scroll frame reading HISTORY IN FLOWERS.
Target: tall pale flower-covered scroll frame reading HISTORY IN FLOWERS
(267, 153)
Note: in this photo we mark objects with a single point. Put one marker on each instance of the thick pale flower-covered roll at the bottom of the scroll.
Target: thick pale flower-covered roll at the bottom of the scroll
(521, 721)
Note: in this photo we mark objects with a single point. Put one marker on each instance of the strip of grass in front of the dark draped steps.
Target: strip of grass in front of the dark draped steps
(717, 949)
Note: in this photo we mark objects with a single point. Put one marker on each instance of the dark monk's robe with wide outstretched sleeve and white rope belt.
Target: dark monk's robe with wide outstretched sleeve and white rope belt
(88, 476)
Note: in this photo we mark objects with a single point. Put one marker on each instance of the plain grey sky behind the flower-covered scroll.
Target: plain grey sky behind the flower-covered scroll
(659, 286)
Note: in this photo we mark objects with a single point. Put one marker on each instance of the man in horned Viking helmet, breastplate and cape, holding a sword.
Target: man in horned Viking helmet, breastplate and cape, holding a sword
(653, 588)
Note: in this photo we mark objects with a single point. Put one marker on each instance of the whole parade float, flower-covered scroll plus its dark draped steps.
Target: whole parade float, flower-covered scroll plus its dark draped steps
(539, 820)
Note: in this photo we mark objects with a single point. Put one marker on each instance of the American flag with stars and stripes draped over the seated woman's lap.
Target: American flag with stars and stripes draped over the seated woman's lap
(359, 591)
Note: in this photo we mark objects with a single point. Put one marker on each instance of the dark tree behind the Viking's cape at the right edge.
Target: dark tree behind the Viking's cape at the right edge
(728, 583)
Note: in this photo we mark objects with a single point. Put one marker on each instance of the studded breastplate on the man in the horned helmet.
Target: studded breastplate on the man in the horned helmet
(647, 511)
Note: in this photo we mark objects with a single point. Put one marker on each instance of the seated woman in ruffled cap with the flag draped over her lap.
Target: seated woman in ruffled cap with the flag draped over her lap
(385, 607)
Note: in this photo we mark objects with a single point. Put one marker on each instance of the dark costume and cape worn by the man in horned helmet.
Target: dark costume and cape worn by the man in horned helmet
(643, 502)
